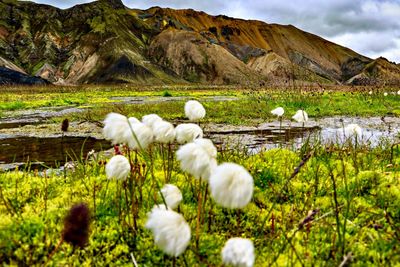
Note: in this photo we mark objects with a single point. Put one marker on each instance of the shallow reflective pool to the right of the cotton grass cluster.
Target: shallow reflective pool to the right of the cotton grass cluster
(375, 130)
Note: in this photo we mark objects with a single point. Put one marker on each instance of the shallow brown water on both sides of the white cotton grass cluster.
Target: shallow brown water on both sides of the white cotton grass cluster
(55, 150)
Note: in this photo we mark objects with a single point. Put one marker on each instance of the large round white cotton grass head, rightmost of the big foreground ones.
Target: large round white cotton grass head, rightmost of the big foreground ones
(231, 185)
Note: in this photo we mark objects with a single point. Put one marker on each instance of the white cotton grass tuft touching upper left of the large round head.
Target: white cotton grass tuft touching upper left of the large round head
(196, 160)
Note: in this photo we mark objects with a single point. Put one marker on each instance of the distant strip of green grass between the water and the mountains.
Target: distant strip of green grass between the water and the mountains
(252, 105)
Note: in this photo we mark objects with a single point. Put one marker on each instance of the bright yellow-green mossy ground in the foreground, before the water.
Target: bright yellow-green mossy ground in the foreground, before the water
(355, 191)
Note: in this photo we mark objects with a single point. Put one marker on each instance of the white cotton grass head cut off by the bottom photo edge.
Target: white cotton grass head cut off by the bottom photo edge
(238, 252)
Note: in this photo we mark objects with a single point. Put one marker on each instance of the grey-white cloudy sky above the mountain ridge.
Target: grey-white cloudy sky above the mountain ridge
(370, 27)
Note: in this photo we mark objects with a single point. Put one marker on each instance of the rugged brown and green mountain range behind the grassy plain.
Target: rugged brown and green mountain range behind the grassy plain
(106, 42)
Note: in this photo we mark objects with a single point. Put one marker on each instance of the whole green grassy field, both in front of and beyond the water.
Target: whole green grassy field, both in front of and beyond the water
(317, 205)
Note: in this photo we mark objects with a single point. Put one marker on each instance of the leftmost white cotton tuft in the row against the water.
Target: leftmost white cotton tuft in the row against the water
(114, 127)
